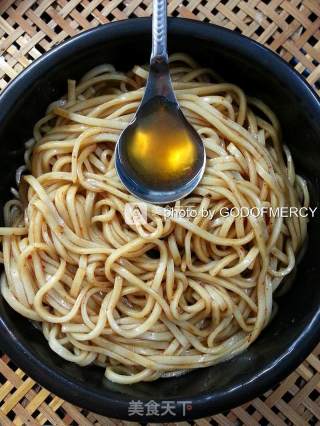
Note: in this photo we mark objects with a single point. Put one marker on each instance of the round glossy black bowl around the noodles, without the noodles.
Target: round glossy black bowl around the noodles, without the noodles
(294, 331)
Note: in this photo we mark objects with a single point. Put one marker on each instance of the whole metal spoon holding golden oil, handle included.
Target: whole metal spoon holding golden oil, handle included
(160, 157)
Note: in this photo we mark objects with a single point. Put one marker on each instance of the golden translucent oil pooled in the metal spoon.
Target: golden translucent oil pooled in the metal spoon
(161, 146)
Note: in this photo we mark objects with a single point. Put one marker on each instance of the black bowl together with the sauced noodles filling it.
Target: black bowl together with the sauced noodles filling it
(159, 313)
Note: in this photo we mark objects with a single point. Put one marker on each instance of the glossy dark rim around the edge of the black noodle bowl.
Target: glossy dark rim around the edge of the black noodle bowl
(117, 405)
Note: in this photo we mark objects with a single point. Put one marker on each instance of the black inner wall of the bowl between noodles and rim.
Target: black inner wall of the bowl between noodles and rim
(299, 131)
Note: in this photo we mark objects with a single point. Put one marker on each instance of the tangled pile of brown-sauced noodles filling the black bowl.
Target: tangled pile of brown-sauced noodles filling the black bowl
(145, 300)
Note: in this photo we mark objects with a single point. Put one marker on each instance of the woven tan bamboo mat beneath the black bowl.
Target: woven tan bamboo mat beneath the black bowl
(291, 28)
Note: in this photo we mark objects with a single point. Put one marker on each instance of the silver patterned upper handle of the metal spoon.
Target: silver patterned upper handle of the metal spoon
(159, 31)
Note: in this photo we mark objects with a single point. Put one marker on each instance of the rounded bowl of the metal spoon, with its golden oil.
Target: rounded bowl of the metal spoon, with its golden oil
(160, 158)
